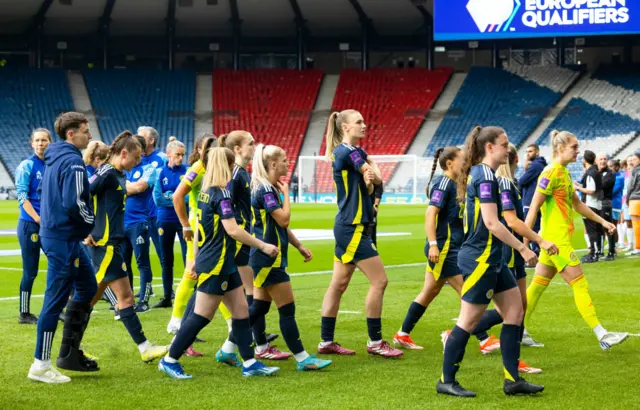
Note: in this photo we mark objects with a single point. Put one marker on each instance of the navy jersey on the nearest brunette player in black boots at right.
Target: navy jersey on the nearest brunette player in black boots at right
(479, 244)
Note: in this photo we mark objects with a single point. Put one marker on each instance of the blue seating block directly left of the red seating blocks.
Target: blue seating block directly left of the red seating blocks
(127, 99)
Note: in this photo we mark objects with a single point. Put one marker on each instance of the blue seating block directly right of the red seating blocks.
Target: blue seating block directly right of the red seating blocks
(517, 100)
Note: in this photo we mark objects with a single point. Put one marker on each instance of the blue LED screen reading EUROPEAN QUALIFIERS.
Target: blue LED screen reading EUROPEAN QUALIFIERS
(496, 19)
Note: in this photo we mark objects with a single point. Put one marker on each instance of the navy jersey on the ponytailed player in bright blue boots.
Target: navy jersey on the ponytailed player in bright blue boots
(216, 255)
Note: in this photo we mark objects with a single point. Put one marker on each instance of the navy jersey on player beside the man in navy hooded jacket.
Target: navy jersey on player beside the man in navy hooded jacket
(109, 191)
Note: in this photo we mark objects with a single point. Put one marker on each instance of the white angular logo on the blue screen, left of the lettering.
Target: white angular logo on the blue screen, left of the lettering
(492, 16)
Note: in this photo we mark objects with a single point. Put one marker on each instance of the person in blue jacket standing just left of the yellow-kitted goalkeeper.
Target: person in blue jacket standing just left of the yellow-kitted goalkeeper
(169, 226)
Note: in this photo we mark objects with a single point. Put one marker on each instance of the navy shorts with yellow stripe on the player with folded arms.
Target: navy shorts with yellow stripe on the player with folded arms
(352, 244)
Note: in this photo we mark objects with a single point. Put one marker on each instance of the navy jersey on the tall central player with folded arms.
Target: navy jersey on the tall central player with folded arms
(354, 203)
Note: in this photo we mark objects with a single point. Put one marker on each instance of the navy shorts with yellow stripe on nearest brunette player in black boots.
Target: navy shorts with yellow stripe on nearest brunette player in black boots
(481, 283)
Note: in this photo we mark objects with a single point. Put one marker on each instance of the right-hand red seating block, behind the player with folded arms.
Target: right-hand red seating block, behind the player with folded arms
(393, 102)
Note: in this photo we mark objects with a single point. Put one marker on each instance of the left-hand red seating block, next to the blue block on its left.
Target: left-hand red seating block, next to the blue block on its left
(274, 105)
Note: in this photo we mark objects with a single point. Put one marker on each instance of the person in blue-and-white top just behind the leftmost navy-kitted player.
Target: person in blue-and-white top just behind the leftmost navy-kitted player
(140, 182)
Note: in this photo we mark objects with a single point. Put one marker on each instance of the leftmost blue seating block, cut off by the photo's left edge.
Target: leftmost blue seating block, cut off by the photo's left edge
(29, 99)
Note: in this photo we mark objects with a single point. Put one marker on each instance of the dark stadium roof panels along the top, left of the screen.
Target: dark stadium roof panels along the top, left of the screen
(212, 18)
